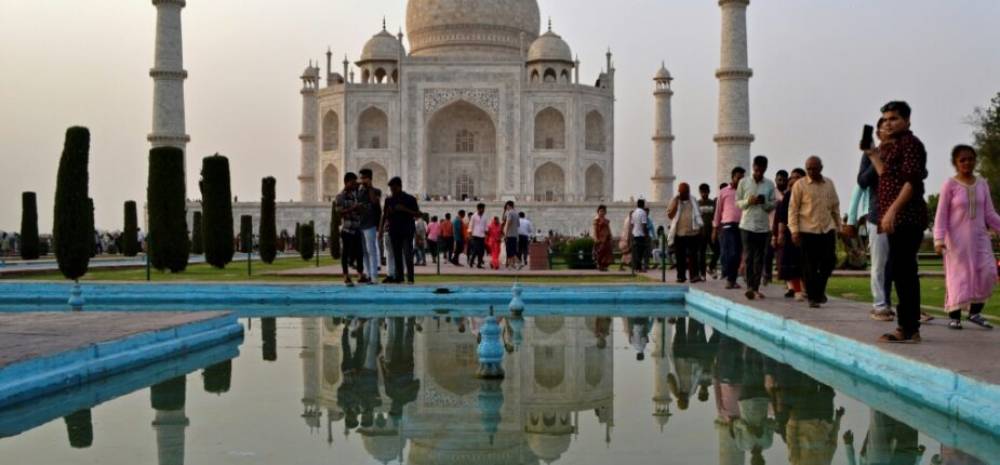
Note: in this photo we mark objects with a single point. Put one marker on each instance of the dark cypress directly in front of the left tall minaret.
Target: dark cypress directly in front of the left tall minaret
(165, 198)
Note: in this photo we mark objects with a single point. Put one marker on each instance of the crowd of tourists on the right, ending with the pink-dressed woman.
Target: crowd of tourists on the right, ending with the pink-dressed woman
(795, 220)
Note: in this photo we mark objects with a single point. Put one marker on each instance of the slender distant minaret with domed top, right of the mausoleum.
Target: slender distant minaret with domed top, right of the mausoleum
(663, 138)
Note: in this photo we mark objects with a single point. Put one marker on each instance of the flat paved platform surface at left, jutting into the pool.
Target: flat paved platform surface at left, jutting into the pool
(25, 336)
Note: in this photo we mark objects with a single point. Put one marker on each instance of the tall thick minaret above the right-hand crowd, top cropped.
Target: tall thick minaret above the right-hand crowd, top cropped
(733, 138)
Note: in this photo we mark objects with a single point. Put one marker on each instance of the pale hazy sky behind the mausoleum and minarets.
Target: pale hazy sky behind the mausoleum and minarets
(821, 69)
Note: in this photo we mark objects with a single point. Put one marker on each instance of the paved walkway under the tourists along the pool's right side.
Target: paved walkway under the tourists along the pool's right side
(973, 351)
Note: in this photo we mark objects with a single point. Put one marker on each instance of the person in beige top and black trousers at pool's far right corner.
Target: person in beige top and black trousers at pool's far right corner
(684, 235)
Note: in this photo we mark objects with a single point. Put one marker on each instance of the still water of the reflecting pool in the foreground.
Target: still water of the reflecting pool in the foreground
(402, 389)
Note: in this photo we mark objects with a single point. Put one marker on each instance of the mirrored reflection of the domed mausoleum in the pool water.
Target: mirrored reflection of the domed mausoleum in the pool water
(413, 383)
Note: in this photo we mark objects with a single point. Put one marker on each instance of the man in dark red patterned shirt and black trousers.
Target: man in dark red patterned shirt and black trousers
(902, 168)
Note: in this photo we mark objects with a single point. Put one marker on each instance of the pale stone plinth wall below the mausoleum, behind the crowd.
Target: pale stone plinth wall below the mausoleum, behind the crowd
(565, 218)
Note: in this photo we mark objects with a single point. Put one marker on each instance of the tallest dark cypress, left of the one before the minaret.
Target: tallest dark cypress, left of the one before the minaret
(73, 231)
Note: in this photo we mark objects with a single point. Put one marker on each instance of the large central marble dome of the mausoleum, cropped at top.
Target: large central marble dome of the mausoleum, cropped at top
(471, 28)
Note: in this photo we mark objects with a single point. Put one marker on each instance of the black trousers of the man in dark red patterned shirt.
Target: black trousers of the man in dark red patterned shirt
(904, 244)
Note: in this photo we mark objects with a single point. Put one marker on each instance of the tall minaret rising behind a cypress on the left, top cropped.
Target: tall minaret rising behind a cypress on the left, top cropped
(168, 78)
